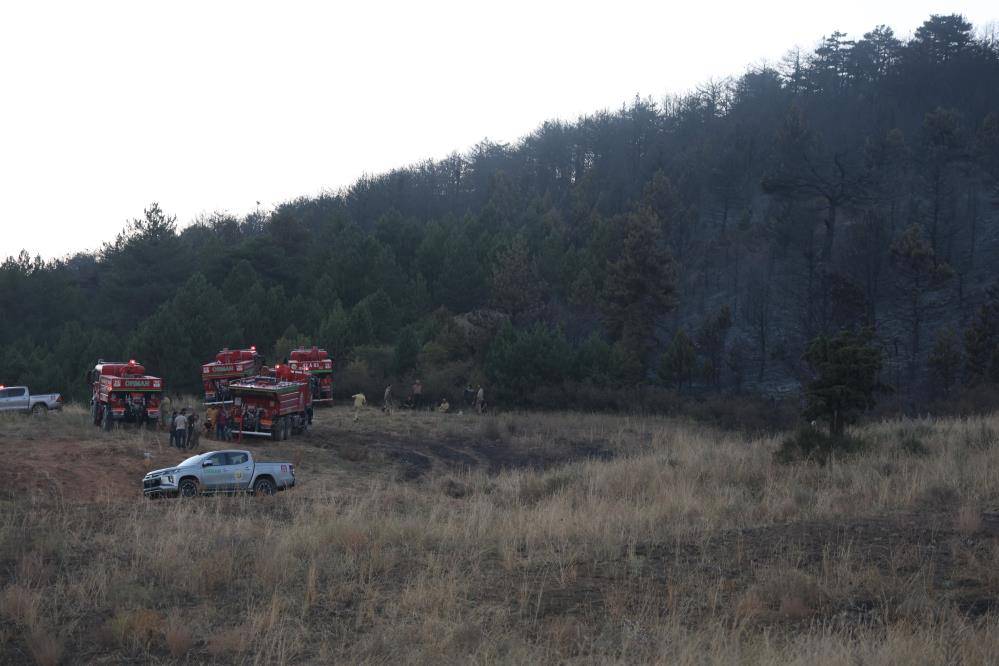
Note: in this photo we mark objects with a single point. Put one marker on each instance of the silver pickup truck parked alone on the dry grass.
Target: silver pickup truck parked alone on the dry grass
(219, 472)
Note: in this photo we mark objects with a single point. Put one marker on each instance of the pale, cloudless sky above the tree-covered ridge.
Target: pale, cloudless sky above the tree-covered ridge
(212, 106)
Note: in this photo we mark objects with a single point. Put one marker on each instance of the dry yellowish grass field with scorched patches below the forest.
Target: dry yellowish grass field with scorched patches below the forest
(518, 538)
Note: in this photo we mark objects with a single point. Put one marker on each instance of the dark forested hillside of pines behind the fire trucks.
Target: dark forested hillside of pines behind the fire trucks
(698, 244)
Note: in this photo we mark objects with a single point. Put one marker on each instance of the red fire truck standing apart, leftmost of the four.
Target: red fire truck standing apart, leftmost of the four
(123, 392)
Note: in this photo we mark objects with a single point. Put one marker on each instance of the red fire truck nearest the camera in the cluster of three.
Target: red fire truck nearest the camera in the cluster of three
(272, 406)
